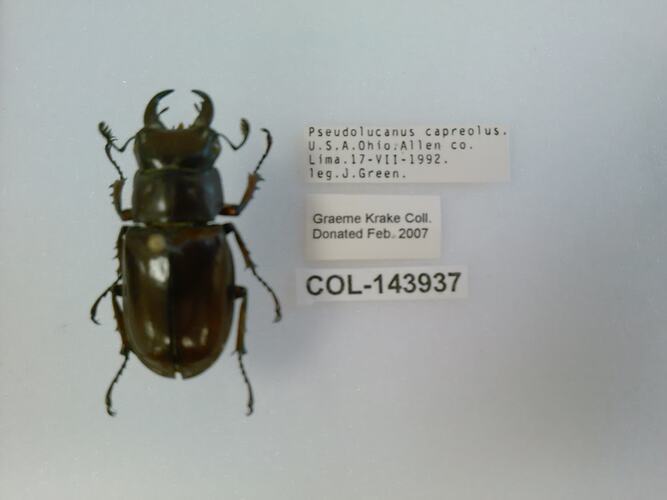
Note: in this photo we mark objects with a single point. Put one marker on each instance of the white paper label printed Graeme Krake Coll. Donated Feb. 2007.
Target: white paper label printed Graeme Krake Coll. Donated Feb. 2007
(364, 227)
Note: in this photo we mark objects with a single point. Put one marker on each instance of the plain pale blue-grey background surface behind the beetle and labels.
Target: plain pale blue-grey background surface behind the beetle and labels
(549, 382)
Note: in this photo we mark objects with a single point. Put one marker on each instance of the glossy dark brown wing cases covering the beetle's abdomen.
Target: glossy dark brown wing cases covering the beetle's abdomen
(178, 295)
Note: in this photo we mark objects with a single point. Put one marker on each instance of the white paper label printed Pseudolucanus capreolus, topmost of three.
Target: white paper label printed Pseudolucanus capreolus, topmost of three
(363, 154)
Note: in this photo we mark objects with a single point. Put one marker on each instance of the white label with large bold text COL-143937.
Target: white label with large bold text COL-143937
(381, 283)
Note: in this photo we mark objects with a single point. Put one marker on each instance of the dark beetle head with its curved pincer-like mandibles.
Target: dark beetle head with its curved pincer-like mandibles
(193, 147)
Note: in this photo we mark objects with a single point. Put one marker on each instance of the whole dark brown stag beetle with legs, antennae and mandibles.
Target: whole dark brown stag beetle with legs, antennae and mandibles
(175, 273)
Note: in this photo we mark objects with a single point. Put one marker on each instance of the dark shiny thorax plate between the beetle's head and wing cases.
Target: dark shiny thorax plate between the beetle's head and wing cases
(176, 195)
